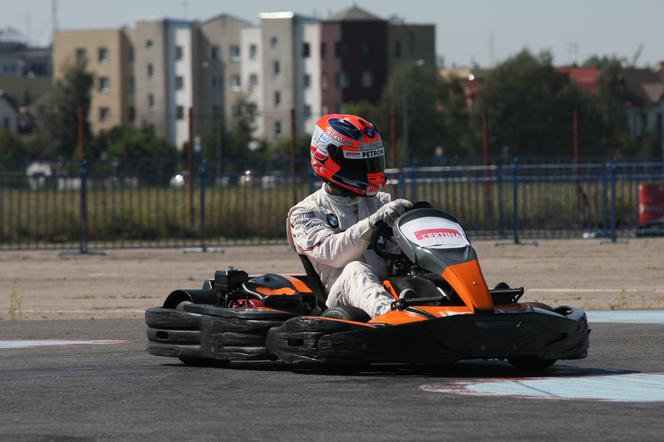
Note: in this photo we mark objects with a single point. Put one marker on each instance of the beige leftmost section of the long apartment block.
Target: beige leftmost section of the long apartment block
(106, 53)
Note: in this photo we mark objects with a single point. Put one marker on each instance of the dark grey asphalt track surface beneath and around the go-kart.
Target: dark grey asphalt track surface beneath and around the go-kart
(116, 391)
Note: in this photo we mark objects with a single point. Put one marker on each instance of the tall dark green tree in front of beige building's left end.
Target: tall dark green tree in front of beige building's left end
(59, 117)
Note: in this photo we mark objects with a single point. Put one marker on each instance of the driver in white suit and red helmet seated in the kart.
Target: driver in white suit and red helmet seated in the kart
(333, 226)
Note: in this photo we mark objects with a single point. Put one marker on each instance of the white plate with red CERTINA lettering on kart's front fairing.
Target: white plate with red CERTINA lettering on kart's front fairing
(434, 232)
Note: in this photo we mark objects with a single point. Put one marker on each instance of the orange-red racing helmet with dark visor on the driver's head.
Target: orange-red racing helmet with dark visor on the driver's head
(347, 151)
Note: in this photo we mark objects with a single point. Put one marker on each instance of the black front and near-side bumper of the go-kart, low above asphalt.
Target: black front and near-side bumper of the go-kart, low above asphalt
(540, 333)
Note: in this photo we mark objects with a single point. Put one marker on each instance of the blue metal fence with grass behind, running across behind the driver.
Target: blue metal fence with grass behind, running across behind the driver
(123, 207)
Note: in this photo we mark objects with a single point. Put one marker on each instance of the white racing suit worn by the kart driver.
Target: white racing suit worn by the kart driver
(333, 231)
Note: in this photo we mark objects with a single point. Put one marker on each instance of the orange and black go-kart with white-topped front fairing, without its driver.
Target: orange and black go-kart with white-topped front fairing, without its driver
(443, 312)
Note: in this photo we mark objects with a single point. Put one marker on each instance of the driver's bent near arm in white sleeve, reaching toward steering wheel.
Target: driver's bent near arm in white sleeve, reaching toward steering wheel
(320, 243)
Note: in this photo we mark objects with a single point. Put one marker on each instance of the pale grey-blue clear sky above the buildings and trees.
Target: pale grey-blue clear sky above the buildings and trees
(482, 32)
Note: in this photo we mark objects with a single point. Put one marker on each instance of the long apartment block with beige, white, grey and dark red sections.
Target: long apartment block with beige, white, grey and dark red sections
(151, 74)
